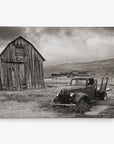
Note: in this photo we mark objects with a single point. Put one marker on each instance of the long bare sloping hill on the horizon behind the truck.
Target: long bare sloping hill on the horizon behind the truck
(101, 66)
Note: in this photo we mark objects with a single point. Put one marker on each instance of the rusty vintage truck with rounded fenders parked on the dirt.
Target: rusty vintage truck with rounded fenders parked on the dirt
(81, 93)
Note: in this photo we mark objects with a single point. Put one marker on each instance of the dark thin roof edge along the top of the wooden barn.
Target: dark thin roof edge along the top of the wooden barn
(27, 42)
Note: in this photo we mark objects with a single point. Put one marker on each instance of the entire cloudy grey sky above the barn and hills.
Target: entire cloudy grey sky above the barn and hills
(65, 44)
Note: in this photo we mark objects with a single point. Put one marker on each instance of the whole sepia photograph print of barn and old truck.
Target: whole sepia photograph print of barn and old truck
(56, 72)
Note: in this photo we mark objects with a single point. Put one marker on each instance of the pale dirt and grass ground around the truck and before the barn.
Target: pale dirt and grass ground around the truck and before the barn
(37, 103)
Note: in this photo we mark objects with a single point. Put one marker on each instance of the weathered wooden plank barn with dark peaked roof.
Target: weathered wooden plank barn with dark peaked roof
(21, 66)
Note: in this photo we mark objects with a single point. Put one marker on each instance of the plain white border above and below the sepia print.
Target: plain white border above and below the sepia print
(56, 13)
